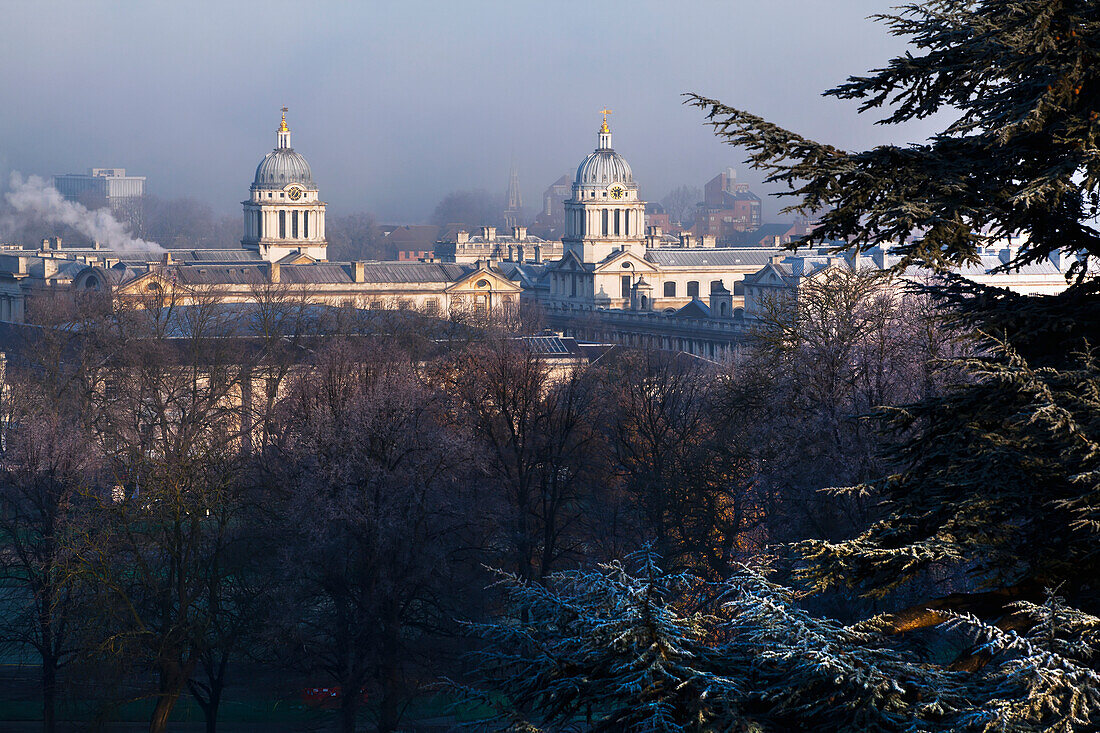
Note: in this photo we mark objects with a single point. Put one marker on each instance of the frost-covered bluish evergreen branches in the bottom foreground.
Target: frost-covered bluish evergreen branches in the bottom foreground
(610, 650)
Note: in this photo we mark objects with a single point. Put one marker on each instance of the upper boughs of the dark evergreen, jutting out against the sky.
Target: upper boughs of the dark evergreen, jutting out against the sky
(1022, 83)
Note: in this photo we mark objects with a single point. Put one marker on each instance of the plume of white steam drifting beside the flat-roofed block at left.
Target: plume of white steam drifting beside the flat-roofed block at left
(35, 196)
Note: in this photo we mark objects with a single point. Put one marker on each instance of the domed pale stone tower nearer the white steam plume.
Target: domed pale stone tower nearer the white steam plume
(284, 214)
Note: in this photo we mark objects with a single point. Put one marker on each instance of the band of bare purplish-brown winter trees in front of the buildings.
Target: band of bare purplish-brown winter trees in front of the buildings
(192, 494)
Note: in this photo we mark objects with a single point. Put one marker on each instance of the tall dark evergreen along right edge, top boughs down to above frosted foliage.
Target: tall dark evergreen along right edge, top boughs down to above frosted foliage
(996, 491)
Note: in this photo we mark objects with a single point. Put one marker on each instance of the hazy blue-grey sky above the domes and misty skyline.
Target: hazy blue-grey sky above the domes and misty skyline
(397, 104)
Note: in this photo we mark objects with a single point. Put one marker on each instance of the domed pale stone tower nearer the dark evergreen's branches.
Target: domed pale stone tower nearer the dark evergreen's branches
(606, 214)
